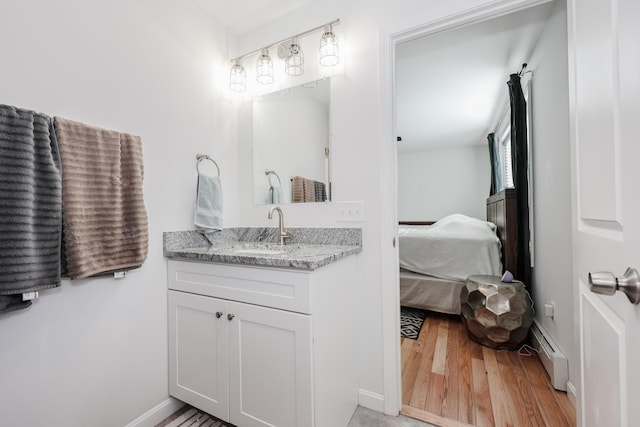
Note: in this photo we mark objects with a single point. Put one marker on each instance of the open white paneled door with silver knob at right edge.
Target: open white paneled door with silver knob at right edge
(604, 46)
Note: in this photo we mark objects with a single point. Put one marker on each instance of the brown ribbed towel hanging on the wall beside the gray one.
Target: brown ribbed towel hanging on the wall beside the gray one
(105, 220)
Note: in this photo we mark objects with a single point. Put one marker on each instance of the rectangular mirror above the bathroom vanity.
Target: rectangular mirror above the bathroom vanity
(291, 145)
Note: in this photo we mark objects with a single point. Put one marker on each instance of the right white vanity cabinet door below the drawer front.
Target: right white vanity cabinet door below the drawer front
(270, 377)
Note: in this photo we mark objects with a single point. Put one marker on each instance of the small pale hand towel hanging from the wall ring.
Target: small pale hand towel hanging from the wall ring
(208, 210)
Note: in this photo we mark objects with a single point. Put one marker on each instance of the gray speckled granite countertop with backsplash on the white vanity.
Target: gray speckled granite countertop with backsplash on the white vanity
(307, 249)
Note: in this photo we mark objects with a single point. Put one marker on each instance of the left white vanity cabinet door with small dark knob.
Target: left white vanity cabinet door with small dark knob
(198, 352)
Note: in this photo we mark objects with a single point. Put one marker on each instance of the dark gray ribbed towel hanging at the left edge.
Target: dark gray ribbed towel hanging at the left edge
(30, 206)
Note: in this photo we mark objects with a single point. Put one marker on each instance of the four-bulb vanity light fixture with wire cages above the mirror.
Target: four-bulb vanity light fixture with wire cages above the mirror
(291, 54)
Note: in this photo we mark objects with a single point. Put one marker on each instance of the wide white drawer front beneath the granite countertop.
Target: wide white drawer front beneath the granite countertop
(277, 288)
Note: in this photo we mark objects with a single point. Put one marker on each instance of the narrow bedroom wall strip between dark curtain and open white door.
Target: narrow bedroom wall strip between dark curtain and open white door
(552, 179)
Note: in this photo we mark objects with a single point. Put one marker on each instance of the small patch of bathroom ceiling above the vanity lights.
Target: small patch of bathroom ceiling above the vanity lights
(241, 16)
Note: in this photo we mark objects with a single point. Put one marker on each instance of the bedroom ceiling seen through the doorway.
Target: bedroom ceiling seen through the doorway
(451, 86)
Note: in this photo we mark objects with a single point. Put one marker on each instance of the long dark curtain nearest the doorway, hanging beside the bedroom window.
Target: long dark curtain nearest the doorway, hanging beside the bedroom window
(520, 165)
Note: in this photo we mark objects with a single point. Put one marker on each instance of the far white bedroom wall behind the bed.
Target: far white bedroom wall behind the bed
(440, 182)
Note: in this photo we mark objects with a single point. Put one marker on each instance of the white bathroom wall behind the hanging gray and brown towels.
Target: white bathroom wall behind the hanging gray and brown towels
(94, 352)
